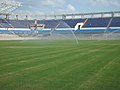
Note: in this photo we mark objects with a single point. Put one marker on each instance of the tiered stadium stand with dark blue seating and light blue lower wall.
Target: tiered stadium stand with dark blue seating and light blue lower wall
(92, 24)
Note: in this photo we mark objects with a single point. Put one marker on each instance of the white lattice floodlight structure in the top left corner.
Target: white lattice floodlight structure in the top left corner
(7, 6)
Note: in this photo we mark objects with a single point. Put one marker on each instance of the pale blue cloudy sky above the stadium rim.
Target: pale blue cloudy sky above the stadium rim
(67, 6)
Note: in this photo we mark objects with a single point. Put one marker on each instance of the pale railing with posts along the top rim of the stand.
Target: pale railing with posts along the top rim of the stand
(61, 16)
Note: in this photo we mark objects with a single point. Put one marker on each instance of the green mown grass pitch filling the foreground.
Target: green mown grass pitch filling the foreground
(59, 65)
